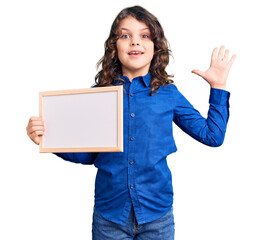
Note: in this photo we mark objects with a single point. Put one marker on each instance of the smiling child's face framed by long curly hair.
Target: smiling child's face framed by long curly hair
(135, 49)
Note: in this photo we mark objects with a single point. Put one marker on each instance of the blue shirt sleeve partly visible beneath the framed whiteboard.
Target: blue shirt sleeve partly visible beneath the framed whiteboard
(83, 158)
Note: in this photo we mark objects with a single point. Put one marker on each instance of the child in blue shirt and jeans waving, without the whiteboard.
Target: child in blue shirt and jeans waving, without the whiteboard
(133, 189)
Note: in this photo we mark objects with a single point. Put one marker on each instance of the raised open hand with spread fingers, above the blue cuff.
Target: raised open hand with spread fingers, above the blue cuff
(219, 68)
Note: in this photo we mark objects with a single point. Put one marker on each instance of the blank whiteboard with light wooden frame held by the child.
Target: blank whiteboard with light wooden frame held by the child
(82, 120)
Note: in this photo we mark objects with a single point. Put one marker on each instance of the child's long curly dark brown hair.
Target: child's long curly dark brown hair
(110, 64)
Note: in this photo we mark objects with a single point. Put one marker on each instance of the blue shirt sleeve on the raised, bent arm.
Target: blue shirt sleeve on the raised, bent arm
(210, 131)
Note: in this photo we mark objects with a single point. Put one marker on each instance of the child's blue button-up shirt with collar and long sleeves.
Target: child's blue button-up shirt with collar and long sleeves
(140, 175)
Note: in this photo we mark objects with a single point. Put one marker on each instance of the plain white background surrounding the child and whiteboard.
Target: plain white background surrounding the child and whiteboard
(54, 45)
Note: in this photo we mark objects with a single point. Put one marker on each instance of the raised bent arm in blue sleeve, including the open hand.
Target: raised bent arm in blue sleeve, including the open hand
(210, 131)
